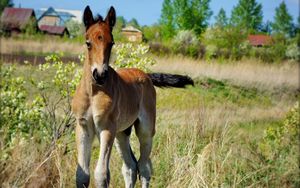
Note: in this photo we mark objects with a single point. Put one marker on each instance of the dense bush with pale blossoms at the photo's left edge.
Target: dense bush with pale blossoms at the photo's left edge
(17, 115)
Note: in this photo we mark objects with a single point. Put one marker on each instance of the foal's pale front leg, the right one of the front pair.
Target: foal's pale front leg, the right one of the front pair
(106, 137)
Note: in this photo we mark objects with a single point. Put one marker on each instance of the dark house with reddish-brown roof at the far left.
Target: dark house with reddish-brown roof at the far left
(15, 20)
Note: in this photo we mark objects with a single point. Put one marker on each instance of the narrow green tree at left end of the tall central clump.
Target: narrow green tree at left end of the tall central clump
(167, 20)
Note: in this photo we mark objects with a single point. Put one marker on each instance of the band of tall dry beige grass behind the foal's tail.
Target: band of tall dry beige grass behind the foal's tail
(247, 72)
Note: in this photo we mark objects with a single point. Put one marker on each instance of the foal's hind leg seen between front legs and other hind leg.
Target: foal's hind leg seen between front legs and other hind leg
(129, 168)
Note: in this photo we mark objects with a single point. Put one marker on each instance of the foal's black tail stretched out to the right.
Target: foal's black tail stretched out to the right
(170, 80)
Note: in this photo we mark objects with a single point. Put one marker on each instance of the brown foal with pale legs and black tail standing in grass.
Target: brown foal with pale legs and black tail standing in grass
(107, 103)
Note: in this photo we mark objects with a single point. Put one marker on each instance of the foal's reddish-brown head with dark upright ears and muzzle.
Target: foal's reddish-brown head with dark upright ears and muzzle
(99, 41)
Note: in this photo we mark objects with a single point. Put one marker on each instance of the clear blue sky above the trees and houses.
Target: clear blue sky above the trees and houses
(147, 12)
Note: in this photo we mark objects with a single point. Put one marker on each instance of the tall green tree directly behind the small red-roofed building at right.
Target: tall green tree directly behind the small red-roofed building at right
(247, 14)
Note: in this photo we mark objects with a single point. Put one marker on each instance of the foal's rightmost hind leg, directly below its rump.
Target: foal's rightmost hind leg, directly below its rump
(144, 132)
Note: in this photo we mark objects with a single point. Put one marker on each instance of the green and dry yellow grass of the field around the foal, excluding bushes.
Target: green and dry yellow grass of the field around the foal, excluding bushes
(206, 136)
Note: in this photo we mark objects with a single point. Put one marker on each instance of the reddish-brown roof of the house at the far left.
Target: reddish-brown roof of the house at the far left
(16, 17)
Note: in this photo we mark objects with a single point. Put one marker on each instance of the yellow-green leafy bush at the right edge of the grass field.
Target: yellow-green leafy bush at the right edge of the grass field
(281, 143)
